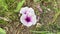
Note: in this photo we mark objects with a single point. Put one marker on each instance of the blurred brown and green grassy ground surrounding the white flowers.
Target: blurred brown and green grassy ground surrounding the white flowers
(49, 17)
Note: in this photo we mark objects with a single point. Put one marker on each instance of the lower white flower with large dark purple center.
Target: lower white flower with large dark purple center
(28, 20)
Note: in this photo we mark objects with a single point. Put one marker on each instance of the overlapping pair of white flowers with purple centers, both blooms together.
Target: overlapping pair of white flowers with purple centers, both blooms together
(28, 17)
